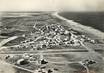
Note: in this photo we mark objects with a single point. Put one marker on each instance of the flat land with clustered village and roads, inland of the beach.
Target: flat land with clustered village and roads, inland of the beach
(40, 42)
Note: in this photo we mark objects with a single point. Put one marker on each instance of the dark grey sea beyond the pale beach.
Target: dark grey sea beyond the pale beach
(93, 19)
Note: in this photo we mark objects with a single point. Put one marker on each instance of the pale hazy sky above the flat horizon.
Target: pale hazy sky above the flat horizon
(52, 5)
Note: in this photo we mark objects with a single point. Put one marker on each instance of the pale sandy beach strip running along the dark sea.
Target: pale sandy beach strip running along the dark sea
(89, 29)
